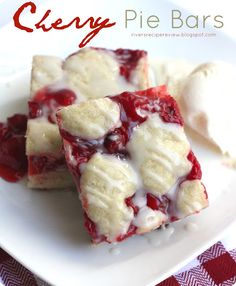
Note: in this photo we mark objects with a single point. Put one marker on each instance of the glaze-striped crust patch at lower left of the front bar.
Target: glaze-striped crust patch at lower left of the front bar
(105, 184)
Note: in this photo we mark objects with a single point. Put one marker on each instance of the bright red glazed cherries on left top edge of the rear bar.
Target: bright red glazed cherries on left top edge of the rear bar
(47, 101)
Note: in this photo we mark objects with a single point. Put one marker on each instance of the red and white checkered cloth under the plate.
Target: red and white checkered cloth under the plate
(216, 266)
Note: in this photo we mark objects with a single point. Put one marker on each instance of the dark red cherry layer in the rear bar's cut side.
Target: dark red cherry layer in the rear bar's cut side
(42, 164)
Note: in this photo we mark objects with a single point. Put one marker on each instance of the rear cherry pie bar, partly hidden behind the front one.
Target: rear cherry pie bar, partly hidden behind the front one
(89, 73)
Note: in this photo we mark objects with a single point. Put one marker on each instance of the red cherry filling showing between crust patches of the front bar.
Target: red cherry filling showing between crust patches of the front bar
(152, 100)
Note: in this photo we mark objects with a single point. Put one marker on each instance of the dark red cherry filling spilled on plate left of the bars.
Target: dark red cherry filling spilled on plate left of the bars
(13, 161)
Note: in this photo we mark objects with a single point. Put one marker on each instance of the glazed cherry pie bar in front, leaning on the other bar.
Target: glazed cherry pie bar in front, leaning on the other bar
(132, 163)
